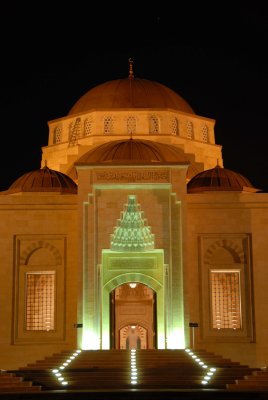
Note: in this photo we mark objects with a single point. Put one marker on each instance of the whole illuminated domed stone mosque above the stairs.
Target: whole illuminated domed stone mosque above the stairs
(132, 234)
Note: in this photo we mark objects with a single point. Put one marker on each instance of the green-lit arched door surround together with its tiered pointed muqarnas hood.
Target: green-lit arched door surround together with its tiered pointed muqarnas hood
(132, 258)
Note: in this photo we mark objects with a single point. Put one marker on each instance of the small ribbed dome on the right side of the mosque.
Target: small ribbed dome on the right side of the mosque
(219, 179)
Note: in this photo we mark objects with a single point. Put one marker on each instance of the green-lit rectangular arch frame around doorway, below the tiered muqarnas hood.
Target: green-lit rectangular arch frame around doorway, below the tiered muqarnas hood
(149, 270)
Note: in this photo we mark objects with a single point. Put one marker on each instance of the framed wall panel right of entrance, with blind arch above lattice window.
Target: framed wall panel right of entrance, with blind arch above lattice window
(226, 287)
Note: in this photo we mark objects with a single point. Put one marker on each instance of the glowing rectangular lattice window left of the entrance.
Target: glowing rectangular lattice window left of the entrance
(40, 301)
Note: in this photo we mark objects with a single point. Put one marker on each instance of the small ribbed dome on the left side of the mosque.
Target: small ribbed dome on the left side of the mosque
(43, 180)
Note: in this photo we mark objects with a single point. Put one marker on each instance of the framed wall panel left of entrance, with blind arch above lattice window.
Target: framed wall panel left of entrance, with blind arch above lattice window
(40, 277)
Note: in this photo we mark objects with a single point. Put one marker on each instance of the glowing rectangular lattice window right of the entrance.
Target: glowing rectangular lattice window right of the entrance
(225, 299)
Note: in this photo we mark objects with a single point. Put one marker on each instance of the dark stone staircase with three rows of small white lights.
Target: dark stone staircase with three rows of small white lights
(126, 370)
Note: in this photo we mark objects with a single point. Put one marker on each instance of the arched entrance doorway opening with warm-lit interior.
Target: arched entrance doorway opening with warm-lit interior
(133, 317)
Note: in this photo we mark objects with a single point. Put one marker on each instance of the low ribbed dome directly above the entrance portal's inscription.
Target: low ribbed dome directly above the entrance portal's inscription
(130, 151)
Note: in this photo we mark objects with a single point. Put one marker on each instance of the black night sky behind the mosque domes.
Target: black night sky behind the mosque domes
(213, 55)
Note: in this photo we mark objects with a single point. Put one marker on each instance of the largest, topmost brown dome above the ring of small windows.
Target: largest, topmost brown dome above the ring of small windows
(130, 93)
